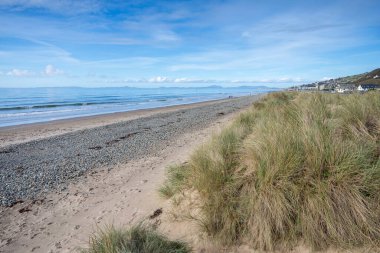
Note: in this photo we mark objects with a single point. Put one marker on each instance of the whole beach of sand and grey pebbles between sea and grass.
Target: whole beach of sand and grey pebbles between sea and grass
(61, 180)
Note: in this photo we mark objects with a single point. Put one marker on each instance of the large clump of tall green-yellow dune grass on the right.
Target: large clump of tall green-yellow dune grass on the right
(295, 168)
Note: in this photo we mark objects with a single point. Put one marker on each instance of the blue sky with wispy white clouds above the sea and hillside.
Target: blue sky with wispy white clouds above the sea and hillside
(96, 43)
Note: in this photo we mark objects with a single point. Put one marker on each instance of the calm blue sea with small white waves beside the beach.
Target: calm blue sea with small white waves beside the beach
(31, 105)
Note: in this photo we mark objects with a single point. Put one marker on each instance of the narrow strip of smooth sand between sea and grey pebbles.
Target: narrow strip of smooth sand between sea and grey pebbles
(10, 135)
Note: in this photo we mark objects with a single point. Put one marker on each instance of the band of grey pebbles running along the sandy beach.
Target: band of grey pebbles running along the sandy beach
(33, 169)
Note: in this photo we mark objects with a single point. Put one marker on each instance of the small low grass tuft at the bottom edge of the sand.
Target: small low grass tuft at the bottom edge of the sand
(138, 239)
